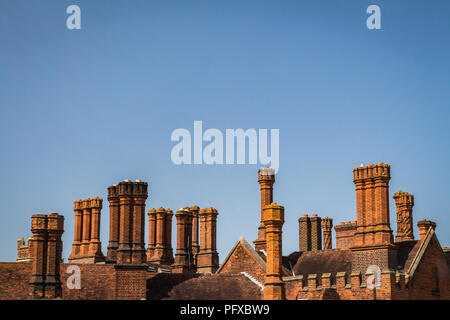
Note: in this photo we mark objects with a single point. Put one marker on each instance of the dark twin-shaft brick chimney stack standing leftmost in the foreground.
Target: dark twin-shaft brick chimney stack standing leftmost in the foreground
(47, 251)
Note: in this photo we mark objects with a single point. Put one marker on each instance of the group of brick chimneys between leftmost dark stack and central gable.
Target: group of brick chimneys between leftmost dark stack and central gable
(127, 228)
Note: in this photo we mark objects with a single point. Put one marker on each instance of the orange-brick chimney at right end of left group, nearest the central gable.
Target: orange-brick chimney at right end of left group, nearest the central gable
(208, 258)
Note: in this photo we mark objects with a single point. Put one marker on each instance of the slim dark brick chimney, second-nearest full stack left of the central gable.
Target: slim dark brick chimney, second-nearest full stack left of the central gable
(183, 256)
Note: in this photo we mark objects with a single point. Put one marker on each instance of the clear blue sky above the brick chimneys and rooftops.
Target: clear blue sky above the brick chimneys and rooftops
(84, 109)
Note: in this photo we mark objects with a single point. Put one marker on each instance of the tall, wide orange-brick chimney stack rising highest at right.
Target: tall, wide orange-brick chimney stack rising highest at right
(372, 205)
